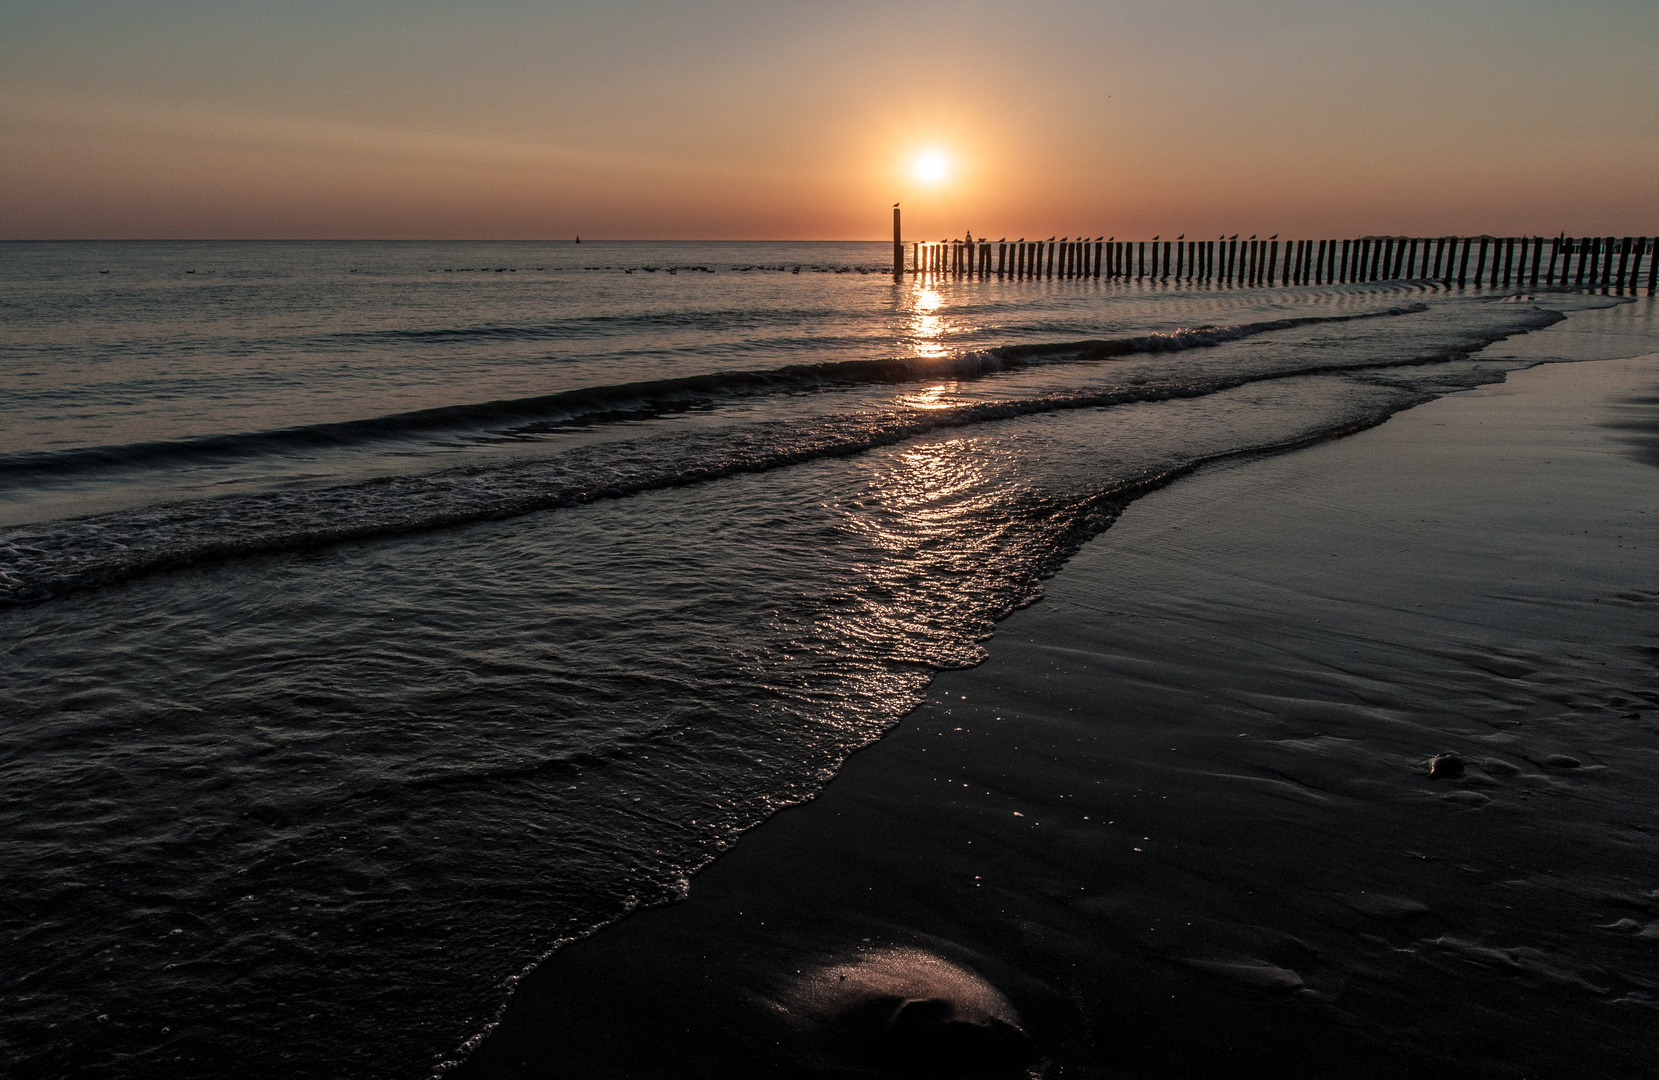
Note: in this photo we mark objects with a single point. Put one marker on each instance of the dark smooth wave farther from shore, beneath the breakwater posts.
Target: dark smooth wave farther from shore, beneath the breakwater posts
(636, 399)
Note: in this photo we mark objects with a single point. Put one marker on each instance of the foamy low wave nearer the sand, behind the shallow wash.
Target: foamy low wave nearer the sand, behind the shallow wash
(42, 563)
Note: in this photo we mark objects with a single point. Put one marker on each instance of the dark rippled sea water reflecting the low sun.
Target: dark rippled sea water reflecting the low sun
(376, 618)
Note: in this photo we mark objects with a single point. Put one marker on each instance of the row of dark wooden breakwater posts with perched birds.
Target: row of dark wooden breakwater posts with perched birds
(1582, 263)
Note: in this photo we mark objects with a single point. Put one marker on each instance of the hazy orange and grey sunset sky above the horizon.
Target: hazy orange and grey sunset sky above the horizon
(741, 120)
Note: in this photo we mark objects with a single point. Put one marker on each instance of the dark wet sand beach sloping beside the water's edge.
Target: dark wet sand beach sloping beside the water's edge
(1182, 825)
